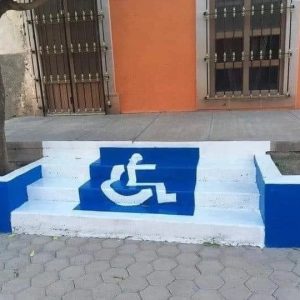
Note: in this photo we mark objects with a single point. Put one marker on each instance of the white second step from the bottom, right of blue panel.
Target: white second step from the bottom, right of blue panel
(227, 195)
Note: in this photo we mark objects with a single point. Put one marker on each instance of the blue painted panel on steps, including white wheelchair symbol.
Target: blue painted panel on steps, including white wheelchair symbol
(157, 172)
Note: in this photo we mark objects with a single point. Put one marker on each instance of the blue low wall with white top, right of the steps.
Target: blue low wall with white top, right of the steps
(279, 204)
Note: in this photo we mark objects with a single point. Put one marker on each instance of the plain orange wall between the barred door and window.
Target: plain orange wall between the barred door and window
(155, 54)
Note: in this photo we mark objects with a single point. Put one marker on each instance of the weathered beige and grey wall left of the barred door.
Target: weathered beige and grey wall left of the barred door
(15, 60)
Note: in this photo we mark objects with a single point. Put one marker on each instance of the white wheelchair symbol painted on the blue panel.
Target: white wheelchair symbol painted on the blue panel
(141, 196)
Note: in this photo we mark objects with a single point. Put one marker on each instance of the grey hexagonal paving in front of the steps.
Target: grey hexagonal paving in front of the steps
(37, 267)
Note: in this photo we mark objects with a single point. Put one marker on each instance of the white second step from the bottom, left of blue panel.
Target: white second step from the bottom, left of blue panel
(55, 189)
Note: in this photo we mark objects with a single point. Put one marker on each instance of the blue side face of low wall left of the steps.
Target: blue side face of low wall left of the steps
(13, 194)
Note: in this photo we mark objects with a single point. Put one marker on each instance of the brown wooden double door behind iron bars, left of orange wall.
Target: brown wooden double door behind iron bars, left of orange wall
(66, 35)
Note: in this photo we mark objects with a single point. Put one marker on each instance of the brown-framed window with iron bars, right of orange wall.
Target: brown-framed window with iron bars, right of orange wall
(247, 50)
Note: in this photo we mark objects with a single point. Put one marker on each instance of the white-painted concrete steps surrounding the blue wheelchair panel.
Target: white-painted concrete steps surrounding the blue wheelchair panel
(226, 200)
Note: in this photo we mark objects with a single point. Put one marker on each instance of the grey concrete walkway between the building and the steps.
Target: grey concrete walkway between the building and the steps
(189, 126)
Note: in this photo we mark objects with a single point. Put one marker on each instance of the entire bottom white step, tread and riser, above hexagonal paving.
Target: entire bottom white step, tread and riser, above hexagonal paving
(223, 226)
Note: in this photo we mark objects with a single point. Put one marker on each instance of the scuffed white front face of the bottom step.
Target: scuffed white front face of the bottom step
(183, 232)
